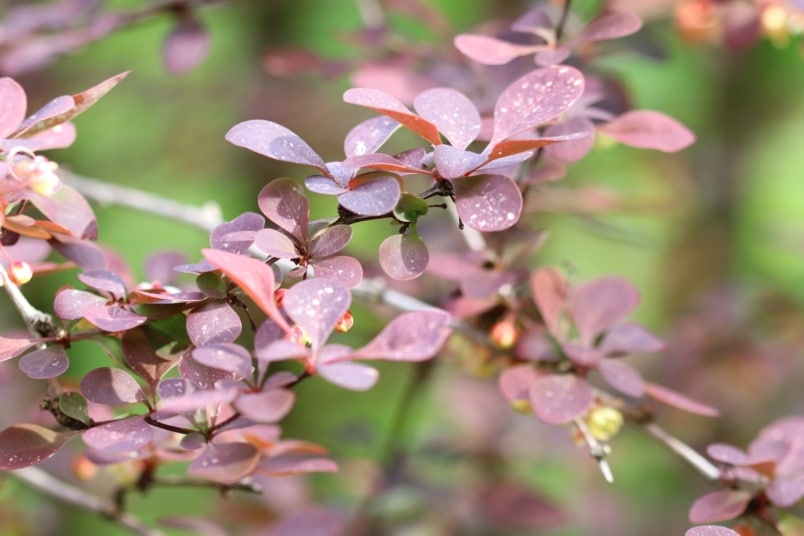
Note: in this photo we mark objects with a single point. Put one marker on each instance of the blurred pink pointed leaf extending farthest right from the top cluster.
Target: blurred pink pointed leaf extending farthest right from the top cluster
(648, 129)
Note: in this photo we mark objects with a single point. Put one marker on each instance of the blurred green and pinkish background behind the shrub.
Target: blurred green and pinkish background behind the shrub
(713, 237)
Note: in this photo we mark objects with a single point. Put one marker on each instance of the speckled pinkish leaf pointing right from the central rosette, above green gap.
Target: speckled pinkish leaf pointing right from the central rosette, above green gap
(412, 336)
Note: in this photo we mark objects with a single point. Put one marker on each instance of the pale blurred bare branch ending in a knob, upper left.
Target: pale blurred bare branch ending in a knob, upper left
(205, 217)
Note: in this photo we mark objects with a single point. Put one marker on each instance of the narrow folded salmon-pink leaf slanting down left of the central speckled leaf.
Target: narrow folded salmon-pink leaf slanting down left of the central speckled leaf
(253, 277)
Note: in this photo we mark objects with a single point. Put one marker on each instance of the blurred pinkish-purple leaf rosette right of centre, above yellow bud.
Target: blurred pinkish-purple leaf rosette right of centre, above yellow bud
(583, 330)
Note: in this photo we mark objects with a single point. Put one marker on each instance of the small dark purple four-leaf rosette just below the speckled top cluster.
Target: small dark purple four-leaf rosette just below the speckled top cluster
(308, 244)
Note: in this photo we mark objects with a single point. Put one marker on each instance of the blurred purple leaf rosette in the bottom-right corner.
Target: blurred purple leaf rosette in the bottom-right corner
(769, 474)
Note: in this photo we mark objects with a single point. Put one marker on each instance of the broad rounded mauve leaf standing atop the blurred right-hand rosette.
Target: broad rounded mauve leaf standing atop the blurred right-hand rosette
(600, 304)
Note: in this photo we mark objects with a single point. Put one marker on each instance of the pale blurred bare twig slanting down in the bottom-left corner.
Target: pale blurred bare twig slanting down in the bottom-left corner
(52, 486)
